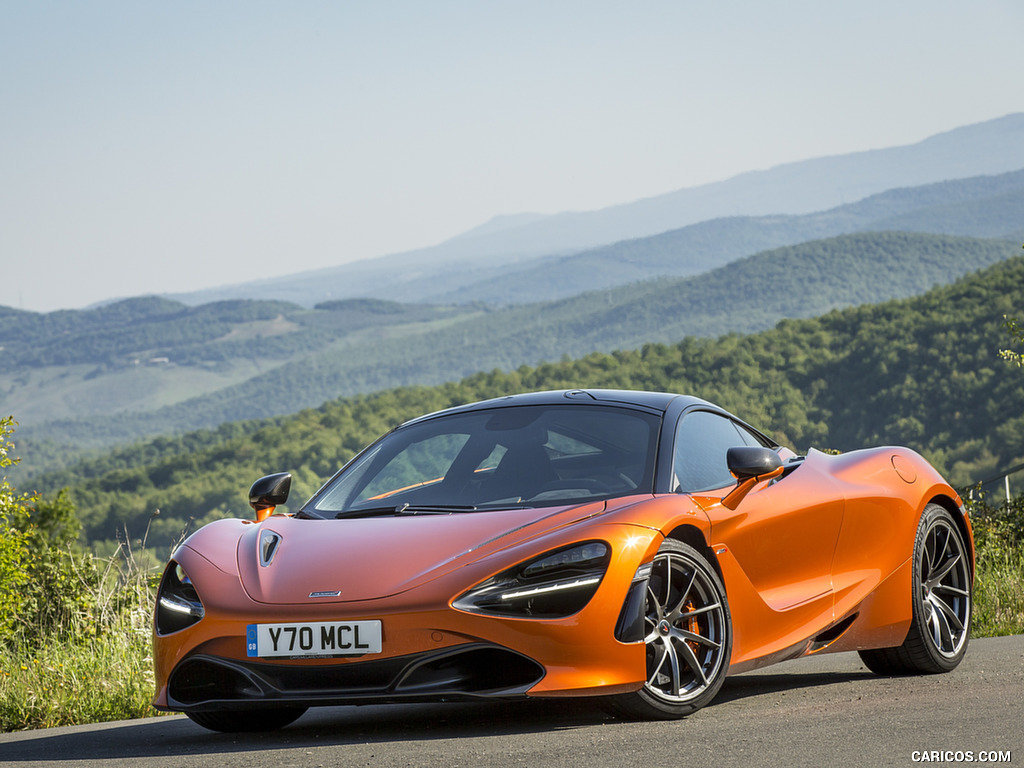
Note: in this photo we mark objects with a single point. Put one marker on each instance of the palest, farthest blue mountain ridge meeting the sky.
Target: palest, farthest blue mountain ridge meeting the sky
(986, 149)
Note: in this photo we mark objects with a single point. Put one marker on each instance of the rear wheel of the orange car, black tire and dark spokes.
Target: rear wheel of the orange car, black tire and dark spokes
(942, 599)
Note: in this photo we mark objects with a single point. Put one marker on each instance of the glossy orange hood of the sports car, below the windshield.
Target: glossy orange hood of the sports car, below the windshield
(287, 561)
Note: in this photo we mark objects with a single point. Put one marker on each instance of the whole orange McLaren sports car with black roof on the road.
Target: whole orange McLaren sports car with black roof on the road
(638, 546)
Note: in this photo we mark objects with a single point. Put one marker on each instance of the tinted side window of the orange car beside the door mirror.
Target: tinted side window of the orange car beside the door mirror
(702, 442)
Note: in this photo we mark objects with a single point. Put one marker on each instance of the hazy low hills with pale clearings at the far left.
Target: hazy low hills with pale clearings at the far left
(145, 354)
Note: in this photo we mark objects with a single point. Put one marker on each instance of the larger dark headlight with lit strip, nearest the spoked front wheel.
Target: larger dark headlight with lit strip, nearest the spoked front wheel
(558, 584)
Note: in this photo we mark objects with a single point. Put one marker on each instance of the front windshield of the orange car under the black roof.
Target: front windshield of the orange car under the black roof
(527, 456)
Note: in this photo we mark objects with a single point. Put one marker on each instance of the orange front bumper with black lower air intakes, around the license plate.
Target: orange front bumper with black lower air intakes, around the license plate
(432, 652)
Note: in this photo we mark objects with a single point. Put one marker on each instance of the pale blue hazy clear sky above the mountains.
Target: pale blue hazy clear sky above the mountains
(166, 147)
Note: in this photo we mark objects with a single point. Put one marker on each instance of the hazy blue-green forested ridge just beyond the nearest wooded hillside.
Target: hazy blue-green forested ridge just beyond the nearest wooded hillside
(748, 295)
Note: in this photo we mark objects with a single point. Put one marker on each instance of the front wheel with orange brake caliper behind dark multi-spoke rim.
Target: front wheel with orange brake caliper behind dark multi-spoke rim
(689, 637)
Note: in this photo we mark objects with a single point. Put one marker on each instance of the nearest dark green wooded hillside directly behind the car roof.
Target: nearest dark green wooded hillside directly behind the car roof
(922, 372)
